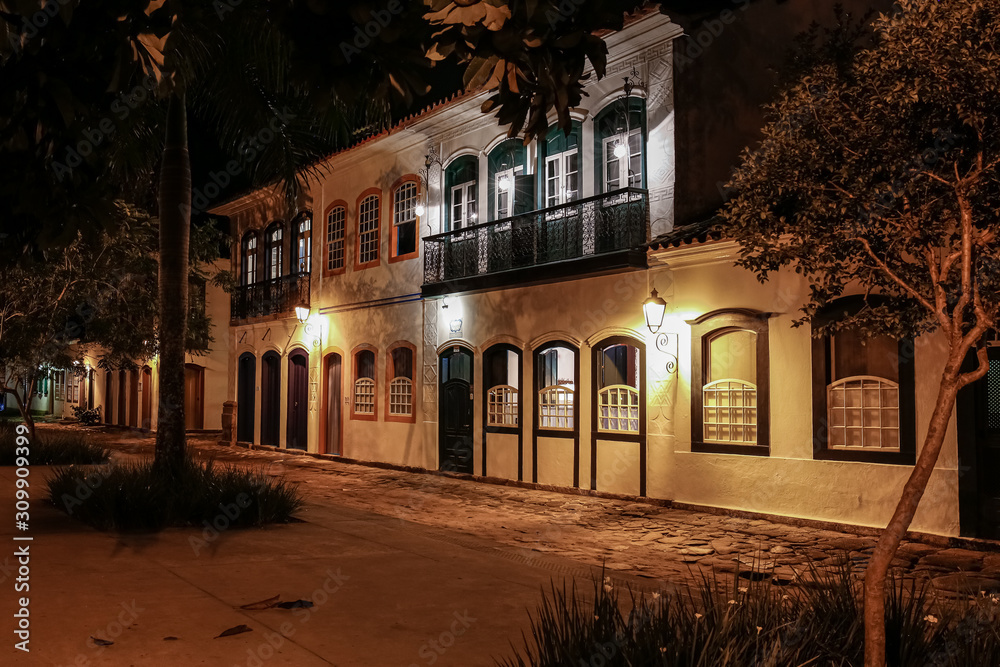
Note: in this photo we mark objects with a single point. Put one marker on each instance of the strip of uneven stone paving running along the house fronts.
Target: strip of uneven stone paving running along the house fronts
(645, 540)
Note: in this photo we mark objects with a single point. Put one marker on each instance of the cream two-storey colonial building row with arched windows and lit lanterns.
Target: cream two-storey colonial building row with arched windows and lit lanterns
(451, 299)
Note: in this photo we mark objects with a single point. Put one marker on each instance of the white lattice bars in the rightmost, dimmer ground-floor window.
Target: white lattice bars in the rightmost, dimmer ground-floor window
(836, 415)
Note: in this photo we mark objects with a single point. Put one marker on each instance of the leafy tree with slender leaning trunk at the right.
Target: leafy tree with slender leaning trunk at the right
(880, 173)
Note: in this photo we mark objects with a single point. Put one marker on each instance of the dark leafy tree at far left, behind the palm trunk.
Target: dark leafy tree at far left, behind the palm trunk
(98, 291)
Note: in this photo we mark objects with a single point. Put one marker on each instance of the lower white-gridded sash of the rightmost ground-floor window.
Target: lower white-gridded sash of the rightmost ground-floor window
(863, 413)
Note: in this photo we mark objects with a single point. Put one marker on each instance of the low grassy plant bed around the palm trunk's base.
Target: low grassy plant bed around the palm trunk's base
(133, 497)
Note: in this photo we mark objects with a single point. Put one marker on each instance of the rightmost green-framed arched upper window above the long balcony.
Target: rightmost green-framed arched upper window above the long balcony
(620, 145)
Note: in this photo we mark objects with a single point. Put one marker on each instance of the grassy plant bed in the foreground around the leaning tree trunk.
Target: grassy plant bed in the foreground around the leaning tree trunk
(756, 624)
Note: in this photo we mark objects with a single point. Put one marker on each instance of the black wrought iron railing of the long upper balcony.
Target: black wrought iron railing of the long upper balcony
(599, 225)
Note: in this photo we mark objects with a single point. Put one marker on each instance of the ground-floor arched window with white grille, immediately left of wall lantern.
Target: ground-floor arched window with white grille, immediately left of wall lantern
(618, 388)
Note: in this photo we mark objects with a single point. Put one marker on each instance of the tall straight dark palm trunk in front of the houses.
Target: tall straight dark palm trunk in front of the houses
(175, 229)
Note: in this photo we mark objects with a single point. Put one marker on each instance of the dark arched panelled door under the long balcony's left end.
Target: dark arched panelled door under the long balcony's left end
(455, 439)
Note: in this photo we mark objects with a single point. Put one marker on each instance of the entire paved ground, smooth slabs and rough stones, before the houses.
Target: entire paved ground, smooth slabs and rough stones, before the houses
(404, 569)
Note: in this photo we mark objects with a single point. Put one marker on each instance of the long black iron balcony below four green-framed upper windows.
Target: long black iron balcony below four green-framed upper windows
(598, 234)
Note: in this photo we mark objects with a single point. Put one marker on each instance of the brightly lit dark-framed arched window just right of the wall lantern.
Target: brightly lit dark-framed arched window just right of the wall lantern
(730, 383)
